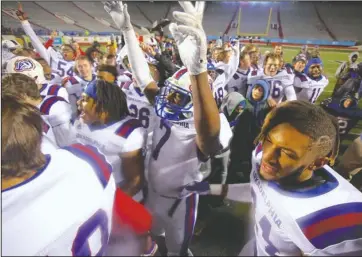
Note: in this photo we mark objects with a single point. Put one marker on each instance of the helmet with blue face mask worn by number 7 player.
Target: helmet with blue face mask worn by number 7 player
(174, 101)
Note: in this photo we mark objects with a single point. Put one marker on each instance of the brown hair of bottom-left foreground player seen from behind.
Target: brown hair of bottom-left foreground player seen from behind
(21, 134)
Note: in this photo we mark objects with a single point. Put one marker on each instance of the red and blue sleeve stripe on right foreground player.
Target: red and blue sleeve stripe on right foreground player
(333, 225)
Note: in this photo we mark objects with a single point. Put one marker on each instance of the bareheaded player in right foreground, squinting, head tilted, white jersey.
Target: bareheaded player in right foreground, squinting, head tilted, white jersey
(302, 206)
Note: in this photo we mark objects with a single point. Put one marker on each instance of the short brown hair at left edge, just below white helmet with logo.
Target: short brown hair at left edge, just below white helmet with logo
(19, 84)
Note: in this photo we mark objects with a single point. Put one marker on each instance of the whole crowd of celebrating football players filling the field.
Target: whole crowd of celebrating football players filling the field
(111, 153)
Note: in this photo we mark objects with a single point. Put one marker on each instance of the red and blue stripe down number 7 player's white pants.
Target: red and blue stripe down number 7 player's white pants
(190, 220)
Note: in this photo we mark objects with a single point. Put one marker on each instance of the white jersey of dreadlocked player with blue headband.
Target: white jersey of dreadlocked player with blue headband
(113, 140)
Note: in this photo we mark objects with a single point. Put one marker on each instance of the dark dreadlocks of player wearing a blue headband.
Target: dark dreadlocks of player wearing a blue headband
(112, 100)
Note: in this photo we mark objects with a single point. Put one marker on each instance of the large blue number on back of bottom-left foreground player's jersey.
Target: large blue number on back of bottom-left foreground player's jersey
(81, 246)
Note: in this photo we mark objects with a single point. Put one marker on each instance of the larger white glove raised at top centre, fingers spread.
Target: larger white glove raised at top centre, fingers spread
(190, 38)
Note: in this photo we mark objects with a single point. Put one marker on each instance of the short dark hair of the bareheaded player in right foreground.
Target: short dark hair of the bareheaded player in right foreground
(308, 119)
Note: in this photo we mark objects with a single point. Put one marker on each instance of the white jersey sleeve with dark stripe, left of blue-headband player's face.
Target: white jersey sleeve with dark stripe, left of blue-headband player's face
(57, 113)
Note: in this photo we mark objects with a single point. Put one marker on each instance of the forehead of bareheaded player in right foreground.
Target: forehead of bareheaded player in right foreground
(286, 136)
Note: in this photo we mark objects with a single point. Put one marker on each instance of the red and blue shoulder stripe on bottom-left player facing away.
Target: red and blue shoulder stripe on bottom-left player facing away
(91, 155)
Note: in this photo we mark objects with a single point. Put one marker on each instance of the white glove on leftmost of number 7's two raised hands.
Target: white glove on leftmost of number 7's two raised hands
(119, 14)
